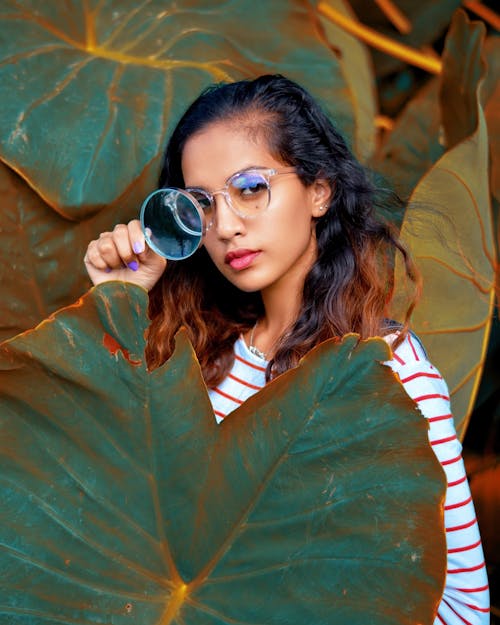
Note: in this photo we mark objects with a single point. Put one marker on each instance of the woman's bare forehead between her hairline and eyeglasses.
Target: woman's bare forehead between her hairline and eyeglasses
(212, 155)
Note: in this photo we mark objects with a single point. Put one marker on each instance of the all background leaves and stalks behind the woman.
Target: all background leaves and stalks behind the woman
(90, 91)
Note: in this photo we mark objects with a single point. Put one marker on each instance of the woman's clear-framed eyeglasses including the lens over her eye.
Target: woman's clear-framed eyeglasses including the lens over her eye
(247, 193)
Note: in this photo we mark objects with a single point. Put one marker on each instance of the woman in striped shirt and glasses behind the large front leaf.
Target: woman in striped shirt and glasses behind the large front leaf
(293, 254)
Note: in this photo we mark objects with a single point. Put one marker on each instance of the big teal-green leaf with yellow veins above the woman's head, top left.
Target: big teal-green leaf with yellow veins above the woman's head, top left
(91, 89)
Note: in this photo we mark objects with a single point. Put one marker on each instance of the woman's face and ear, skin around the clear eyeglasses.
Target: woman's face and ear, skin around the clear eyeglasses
(276, 248)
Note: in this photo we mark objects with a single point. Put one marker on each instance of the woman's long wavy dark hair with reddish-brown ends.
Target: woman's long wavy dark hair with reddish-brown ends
(349, 285)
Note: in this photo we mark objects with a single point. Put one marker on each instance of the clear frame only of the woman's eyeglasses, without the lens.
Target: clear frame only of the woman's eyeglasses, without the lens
(206, 198)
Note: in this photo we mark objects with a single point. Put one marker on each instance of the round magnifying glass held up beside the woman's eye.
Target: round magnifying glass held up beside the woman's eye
(173, 223)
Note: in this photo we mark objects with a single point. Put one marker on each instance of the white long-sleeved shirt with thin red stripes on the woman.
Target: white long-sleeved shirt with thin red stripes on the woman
(465, 600)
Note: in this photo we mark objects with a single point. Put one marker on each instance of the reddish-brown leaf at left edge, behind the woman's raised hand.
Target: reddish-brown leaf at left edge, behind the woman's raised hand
(41, 253)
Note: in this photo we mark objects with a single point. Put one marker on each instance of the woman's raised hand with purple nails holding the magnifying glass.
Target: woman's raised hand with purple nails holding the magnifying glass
(124, 255)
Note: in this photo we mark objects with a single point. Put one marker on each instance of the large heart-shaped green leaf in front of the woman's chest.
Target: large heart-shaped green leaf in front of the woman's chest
(319, 500)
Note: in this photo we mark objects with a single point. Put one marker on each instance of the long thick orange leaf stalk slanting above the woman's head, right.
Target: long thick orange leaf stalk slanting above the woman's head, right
(376, 40)
